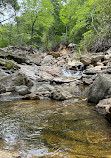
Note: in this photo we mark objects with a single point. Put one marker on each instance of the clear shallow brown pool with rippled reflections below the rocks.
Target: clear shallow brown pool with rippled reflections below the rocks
(68, 129)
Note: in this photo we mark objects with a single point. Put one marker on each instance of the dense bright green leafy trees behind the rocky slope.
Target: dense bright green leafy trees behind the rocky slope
(46, 23)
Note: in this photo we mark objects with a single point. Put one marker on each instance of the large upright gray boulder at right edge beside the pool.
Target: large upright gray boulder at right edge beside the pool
(100, 89)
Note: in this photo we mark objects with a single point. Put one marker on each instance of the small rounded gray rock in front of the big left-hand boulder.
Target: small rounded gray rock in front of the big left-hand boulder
(22, 90)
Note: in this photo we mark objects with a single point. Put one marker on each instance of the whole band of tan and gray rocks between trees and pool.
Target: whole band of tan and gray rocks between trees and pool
(57, 75)
